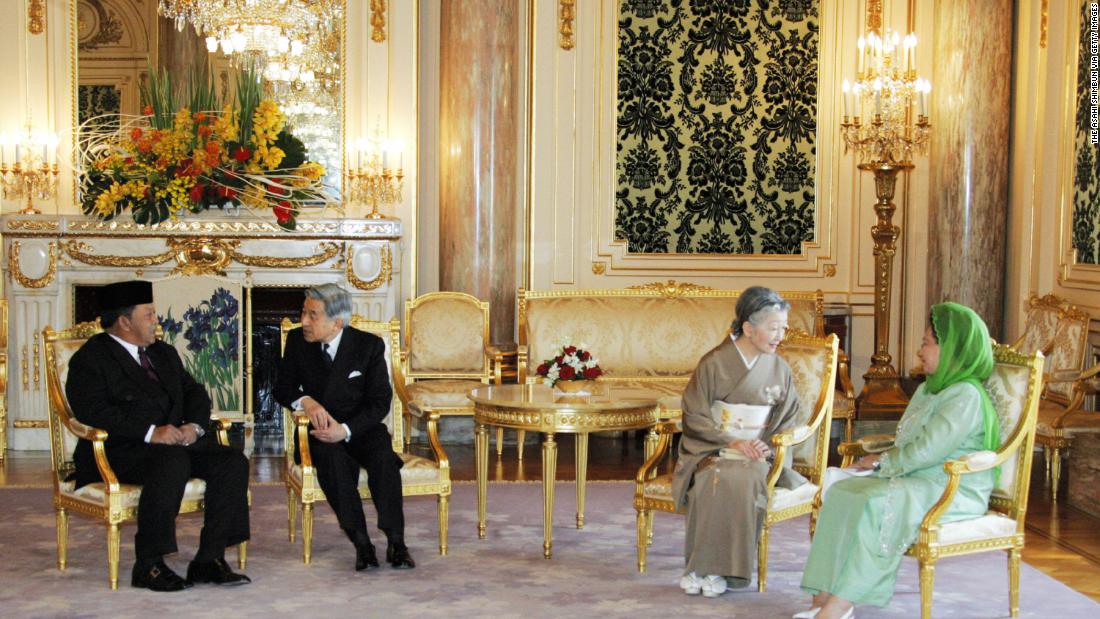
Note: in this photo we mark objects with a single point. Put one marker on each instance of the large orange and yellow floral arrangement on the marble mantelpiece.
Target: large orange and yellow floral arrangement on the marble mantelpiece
(191, 158)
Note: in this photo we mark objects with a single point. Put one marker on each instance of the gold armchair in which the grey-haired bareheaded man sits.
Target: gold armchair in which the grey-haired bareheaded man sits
(420, 476)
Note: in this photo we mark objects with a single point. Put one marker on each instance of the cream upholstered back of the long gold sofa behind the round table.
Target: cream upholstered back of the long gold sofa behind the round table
(644, 333)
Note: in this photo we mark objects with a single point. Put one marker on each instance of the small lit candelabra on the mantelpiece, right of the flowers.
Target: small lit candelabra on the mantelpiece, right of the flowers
(373, 182)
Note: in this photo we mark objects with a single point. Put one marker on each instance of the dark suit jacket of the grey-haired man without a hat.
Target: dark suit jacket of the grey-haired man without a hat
(362, 402)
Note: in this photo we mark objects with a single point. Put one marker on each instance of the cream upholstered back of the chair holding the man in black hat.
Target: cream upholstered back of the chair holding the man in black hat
(60, 348)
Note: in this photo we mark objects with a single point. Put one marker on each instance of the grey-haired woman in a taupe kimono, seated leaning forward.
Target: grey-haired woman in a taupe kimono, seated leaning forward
(722, 470)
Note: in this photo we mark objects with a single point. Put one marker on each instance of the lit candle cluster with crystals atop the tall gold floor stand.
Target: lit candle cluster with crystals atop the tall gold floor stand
(887, 85)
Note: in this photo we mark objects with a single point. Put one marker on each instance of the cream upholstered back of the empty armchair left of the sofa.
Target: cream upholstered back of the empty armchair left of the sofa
(446, 335)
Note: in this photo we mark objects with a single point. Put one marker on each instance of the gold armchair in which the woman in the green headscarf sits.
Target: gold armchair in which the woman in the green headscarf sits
(1015, 390)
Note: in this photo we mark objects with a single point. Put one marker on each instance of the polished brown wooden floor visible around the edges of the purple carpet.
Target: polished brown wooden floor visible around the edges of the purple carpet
(1062, 540)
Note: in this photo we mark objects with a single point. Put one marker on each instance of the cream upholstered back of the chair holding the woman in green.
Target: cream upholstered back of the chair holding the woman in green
(1015, 389)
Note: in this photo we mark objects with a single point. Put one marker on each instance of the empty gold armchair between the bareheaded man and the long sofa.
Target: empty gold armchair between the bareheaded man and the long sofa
(447, 355)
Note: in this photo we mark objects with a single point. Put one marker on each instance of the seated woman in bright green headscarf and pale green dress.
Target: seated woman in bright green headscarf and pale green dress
(867, 524)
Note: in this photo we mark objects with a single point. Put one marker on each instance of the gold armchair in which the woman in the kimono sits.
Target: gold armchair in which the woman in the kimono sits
(813, 366)
